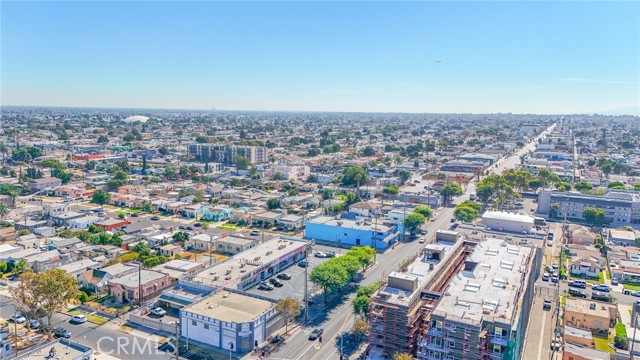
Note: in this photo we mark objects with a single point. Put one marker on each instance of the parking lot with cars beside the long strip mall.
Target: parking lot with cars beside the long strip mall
(294, 287)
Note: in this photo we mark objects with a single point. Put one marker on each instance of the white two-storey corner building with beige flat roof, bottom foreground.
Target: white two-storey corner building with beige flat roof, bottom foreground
(229, 321)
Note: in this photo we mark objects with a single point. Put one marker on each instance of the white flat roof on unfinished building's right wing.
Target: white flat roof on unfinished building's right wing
(488, 286)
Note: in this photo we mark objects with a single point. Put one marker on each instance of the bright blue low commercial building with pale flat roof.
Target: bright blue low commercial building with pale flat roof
(351, 232)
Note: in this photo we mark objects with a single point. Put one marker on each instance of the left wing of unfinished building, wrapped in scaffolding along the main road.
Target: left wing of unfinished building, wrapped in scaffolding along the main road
(400, 309)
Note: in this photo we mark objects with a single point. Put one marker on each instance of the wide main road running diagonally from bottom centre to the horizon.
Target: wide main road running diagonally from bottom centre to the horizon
(337, 320)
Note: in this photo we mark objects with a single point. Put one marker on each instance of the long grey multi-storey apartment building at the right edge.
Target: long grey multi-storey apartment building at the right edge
(621, 207)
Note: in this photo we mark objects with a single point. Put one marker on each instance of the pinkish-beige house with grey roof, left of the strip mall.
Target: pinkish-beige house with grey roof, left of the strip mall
(126, 288)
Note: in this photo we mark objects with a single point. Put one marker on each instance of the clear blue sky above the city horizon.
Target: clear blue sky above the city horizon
(538, 57)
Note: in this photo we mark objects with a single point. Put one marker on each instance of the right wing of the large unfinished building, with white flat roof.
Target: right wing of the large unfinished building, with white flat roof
(485, 311)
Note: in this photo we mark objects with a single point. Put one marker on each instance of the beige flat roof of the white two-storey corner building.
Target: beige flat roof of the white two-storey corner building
(230, 307)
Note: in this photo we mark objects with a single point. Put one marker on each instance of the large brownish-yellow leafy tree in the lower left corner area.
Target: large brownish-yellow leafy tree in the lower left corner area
(46, 293)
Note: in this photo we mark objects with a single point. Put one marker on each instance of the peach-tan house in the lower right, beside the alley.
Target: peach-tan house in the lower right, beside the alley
(590, 314)
